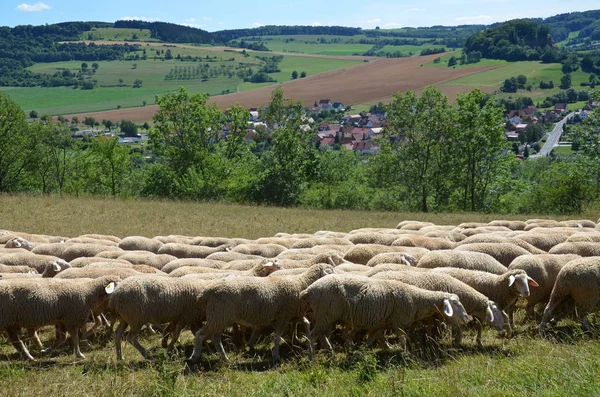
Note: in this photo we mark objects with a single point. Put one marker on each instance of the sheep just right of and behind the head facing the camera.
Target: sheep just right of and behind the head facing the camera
(543, 269)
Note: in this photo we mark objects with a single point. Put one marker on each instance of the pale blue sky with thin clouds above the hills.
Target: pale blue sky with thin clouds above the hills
(235, 14)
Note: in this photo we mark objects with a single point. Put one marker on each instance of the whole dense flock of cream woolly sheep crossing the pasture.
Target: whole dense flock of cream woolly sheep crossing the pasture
(364, 283)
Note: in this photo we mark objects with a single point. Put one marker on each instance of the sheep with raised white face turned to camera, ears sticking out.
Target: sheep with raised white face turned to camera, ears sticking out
(503, 289)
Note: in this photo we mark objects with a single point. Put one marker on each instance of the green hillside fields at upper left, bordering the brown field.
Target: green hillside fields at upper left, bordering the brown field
(109, 95)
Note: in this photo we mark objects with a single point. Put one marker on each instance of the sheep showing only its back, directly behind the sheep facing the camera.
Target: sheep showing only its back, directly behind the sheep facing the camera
(463, 260)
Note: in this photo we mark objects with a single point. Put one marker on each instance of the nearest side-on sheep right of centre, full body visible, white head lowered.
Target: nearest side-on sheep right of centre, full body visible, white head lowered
(371, 304)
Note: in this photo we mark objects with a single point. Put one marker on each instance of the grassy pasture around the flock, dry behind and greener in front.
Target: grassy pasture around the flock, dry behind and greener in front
(566, 364)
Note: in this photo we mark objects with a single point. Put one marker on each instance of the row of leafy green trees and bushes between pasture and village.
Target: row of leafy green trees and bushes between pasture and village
(433, 157)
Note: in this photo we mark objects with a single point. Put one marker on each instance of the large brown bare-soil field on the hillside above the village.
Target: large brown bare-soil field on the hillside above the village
(369, 82)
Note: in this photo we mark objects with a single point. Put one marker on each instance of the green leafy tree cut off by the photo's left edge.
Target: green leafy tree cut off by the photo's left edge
(16, 144)
